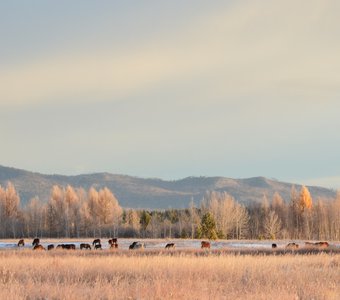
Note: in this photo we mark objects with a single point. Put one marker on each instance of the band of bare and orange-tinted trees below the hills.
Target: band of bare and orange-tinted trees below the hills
(78, 213)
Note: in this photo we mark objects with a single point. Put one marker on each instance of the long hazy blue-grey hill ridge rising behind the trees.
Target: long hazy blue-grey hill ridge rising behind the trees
(150, 193)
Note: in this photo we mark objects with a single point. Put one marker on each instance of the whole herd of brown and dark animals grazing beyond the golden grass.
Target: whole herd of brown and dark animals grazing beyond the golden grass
(113, 244)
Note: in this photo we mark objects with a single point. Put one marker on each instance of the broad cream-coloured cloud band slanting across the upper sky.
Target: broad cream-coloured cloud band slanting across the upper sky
(250, 47)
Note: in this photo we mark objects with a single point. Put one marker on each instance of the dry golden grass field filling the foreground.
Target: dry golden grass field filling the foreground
(175, 274)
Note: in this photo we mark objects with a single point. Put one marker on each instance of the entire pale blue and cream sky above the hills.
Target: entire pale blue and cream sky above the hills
(171, 89)
